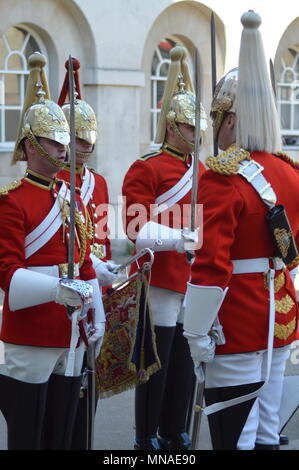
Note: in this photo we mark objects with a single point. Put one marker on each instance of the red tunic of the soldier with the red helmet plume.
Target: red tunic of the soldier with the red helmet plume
(97, 205)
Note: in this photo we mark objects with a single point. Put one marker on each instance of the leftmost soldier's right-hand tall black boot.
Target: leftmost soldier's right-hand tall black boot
(61, 409)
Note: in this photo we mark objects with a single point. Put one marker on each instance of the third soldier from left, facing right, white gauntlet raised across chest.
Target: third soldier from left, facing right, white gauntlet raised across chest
(157, 187)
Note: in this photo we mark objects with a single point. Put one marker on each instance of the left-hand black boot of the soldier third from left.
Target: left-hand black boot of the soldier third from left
(149, 396)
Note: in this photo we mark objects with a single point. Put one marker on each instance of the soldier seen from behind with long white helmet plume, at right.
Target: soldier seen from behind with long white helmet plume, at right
(241, 273)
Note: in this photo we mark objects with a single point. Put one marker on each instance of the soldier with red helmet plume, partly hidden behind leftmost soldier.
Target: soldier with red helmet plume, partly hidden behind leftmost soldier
(94, 193)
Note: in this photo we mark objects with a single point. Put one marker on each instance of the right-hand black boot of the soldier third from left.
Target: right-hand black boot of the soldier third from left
(177, 396)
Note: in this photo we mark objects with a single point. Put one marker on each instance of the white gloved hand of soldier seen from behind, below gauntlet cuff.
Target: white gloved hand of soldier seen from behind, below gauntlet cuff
(202, 347)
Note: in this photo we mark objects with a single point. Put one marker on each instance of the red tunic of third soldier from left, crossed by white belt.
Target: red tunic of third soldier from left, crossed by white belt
(144, 182)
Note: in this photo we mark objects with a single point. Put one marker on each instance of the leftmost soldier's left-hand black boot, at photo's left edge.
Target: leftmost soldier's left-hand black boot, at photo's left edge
(23, 407)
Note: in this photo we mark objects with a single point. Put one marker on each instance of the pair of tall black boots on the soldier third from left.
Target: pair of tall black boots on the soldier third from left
(162, 402)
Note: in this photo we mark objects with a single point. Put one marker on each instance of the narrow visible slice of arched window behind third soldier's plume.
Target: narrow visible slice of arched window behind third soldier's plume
(160, 64)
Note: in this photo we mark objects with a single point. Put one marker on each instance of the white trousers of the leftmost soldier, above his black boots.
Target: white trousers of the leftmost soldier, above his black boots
(35, 364)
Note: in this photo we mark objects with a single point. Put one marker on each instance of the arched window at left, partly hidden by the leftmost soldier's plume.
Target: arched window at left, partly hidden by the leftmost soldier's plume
(16, 45)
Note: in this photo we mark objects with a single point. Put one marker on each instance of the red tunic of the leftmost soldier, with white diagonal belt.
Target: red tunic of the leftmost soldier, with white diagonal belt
(22, 210)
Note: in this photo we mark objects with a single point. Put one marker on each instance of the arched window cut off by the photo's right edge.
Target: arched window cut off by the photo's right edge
(288, 96)
